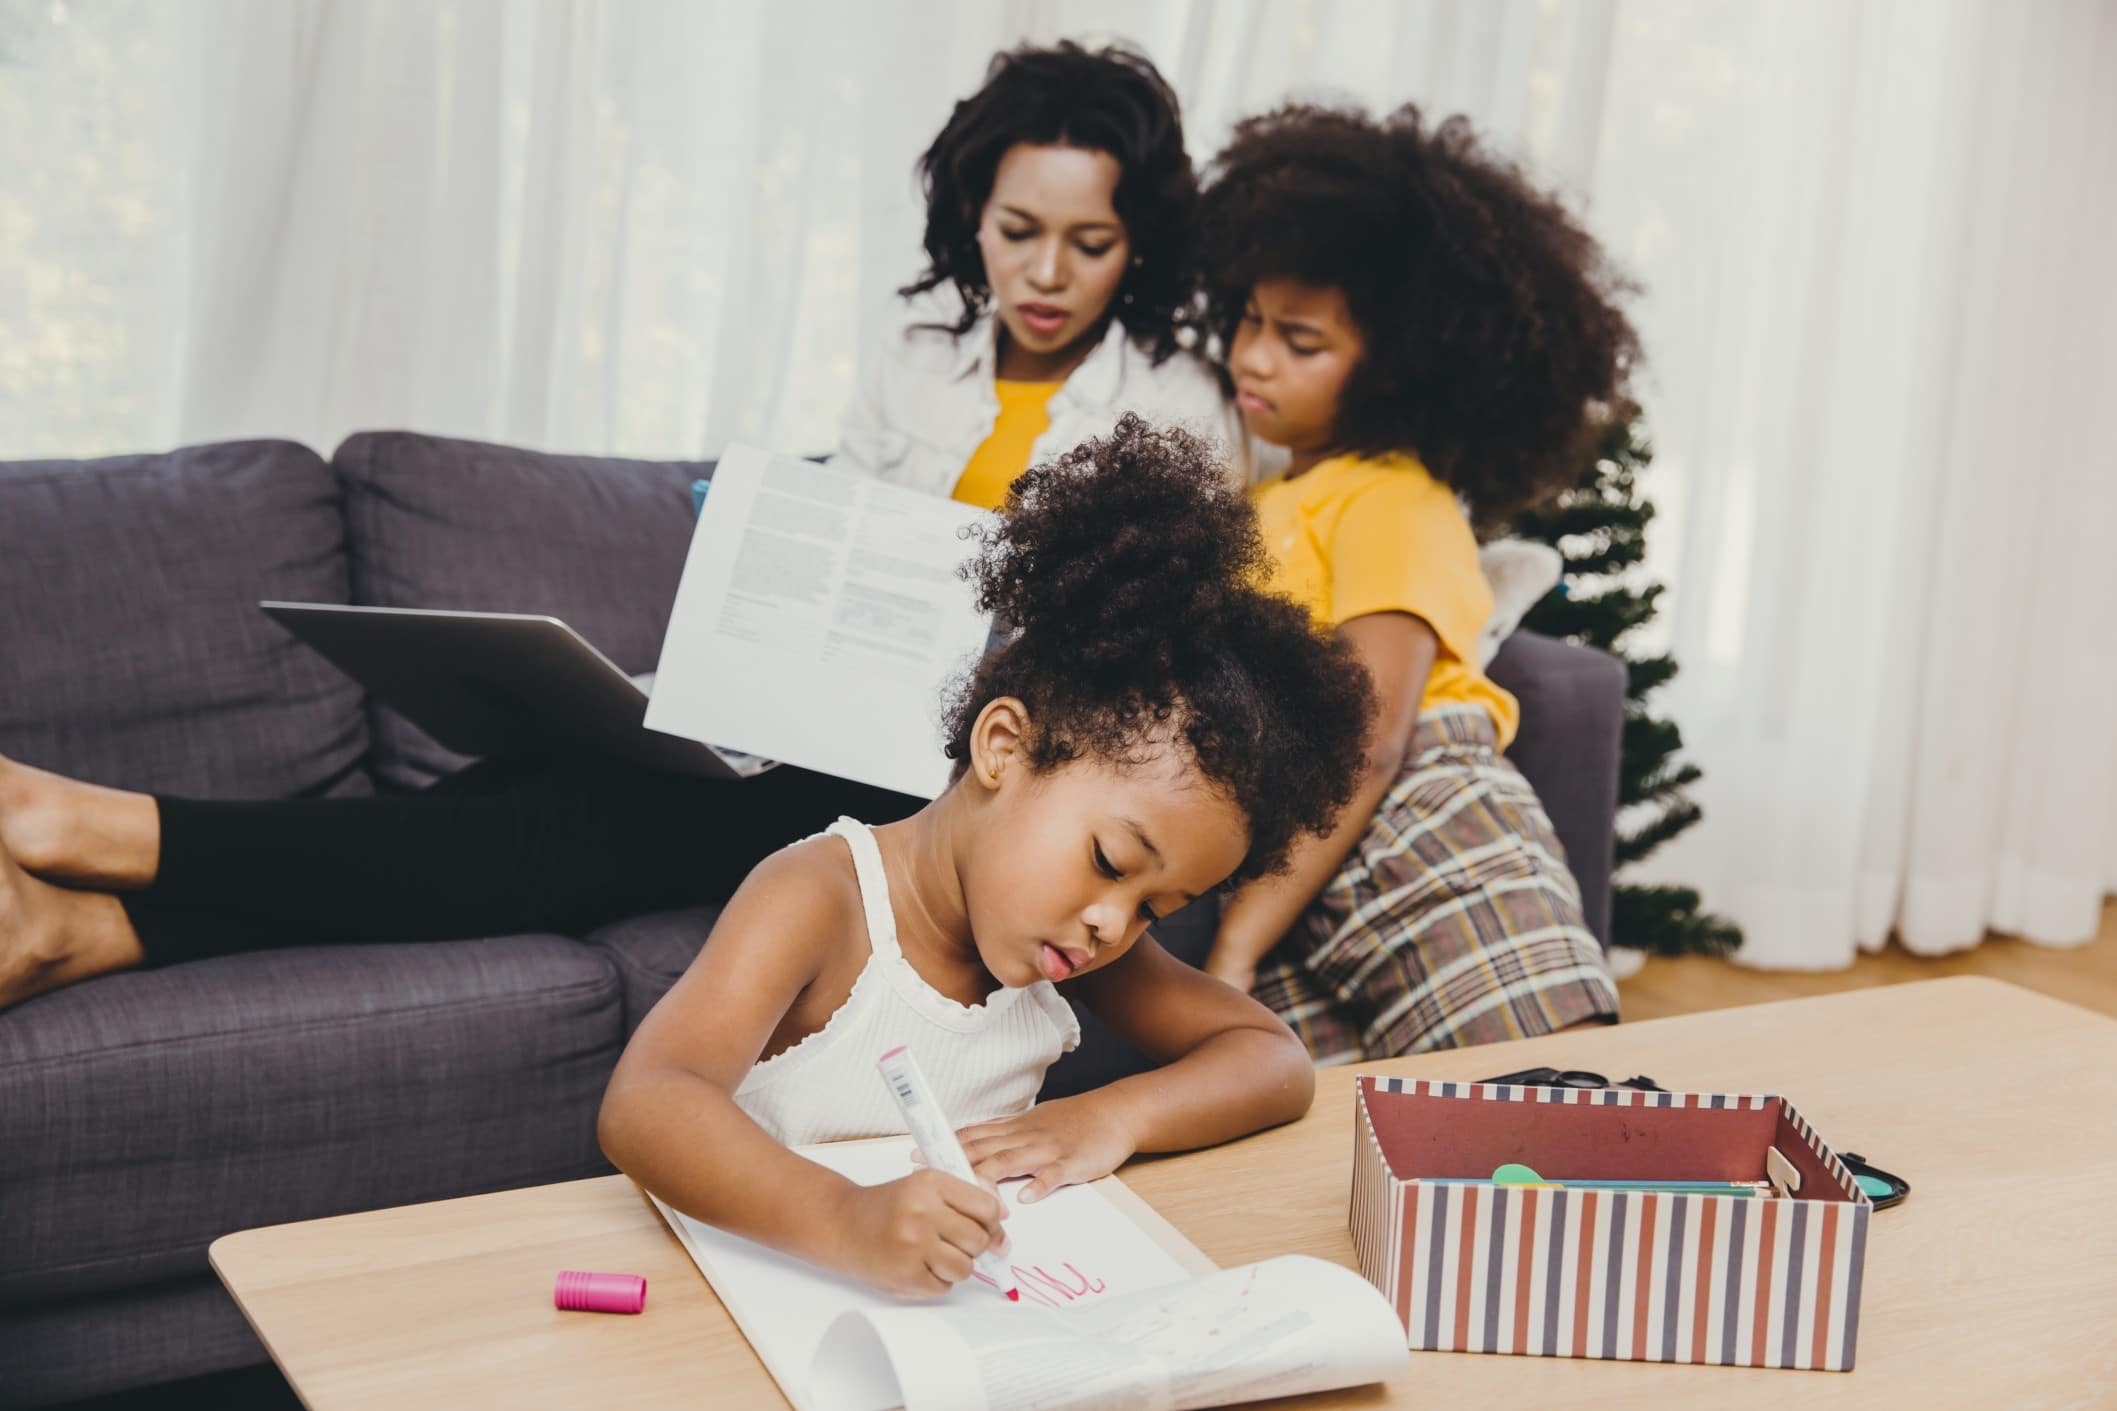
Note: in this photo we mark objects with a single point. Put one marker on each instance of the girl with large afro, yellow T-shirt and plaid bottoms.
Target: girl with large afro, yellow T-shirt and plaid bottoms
(1415, 325)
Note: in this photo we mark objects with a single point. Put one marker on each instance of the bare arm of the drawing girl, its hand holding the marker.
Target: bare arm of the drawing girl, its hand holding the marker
(670, 1116)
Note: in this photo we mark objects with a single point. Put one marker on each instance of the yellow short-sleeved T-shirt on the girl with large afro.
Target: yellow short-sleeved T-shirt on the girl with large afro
(1362, 536)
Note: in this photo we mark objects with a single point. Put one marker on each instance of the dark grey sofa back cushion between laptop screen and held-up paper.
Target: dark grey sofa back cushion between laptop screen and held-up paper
(467, 526)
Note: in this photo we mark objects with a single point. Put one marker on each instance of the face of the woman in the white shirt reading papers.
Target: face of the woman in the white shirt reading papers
(1053, 246)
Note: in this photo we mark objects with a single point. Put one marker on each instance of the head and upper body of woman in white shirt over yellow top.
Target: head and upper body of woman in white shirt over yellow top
(1060, 219)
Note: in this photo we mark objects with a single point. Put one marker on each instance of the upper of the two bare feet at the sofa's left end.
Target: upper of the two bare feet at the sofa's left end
(67, 830)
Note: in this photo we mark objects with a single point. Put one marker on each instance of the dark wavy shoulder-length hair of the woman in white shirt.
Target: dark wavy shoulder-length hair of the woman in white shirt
(1102, 100)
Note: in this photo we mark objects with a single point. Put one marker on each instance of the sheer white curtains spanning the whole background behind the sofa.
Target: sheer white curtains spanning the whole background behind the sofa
(1875, 242)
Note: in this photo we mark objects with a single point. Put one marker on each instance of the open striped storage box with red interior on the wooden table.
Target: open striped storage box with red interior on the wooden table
(1606, 1275)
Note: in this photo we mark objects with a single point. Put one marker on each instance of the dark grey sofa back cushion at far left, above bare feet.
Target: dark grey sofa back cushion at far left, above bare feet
(132, 648)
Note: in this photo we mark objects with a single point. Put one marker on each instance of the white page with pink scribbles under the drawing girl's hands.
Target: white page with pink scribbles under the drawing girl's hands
(1072, 1249)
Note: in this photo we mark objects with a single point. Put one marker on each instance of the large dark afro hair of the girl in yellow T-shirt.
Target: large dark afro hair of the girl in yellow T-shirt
(1496, 346)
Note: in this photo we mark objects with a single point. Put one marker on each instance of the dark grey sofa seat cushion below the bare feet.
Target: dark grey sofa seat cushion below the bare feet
(153, 1112)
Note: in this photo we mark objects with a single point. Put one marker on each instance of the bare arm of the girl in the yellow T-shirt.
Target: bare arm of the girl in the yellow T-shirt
(1398, 653)
